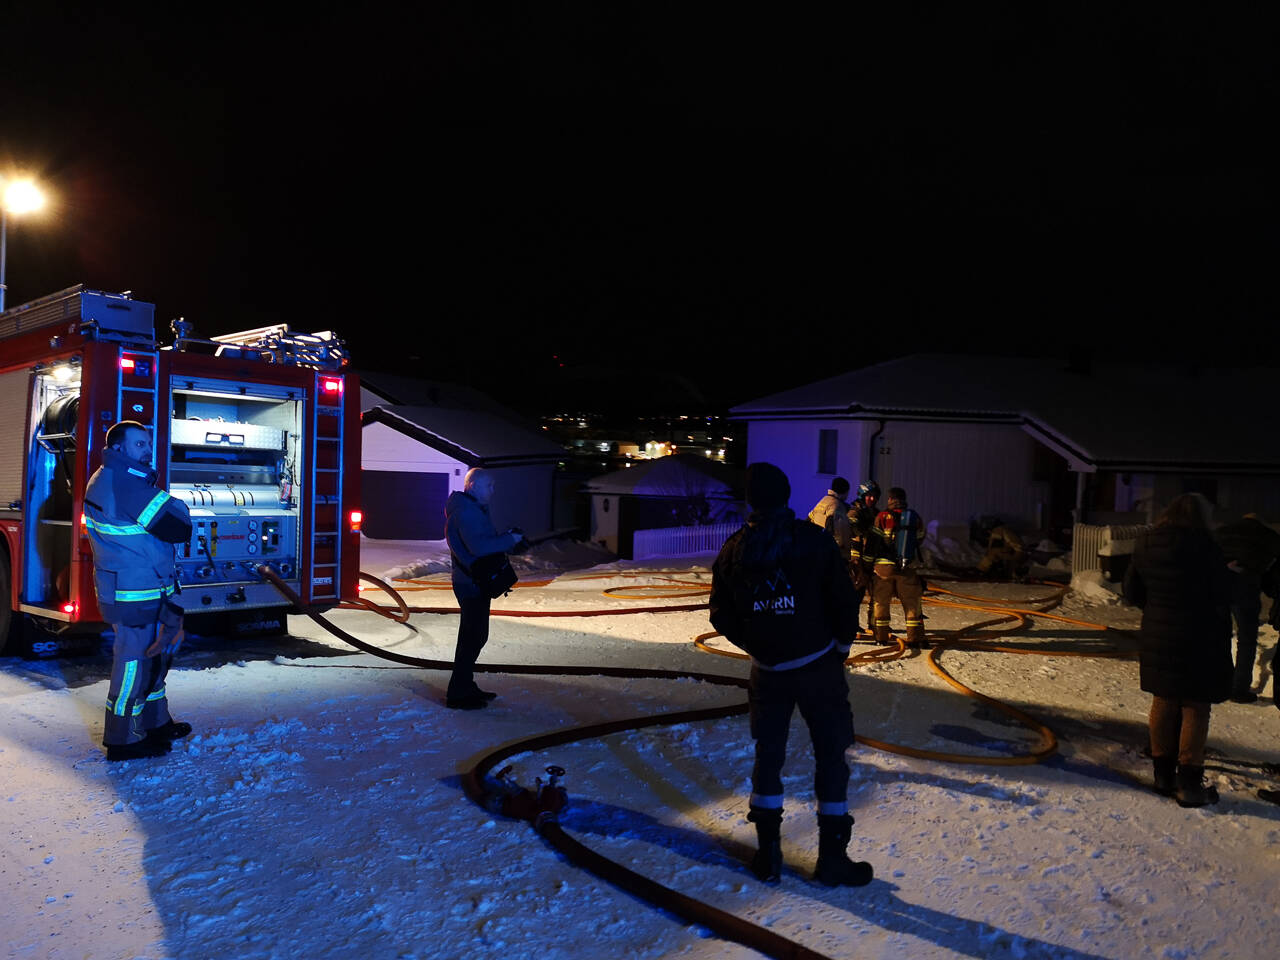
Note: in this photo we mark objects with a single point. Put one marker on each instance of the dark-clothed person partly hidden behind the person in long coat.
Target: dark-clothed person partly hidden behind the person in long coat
(1251, 548)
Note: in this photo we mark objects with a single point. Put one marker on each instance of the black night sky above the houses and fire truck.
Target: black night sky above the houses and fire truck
(684, 211)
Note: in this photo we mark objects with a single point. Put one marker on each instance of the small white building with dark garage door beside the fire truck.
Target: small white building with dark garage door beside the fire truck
(418, 441)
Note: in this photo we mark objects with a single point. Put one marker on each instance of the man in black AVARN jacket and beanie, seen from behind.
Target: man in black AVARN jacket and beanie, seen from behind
(781, 592)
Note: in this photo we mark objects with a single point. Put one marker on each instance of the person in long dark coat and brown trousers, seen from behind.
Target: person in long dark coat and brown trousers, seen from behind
(1180, 578)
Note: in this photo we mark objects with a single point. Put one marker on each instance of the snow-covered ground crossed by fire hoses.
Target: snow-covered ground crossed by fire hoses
(318, 812)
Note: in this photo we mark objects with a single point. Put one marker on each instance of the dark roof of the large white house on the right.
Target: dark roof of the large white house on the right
(1109, 417)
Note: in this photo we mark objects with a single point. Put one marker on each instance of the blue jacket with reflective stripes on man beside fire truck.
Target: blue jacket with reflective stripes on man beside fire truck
(132, 528)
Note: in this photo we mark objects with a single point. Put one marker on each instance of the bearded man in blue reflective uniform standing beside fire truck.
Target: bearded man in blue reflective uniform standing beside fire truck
(134, 528)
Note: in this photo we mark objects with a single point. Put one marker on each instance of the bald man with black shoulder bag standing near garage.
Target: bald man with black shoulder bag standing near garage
(470, 536)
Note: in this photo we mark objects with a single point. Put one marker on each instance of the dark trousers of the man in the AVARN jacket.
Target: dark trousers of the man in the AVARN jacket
(821, 691)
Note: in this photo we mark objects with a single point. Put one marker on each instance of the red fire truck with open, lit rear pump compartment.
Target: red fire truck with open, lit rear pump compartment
(258, 432)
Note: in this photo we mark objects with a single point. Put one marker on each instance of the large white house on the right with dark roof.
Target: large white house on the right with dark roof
(1035, 442)
